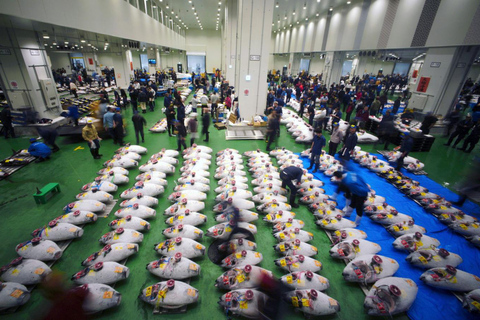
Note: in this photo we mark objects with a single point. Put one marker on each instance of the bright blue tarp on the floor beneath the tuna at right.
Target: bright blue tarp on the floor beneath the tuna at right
(431, 303)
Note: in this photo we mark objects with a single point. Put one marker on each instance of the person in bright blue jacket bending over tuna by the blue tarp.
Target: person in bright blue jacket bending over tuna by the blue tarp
(356, 192)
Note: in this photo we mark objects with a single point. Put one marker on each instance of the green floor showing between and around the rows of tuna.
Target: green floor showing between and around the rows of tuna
(73, 168)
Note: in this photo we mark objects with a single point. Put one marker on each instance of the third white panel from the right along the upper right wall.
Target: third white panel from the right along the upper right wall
(373, 25)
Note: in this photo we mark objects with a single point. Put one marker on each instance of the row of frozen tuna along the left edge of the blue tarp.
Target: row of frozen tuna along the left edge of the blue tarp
(363, 263)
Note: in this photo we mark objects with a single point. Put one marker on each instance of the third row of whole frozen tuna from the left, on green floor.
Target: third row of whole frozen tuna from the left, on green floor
(175, 266)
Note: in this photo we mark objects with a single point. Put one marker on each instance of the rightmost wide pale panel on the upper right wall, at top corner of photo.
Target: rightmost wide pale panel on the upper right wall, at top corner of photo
(452, 22)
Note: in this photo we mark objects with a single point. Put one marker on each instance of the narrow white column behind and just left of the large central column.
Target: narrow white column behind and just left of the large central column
(230, 40)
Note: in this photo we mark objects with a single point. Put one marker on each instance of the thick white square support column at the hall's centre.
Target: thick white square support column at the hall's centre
(254, 35)
